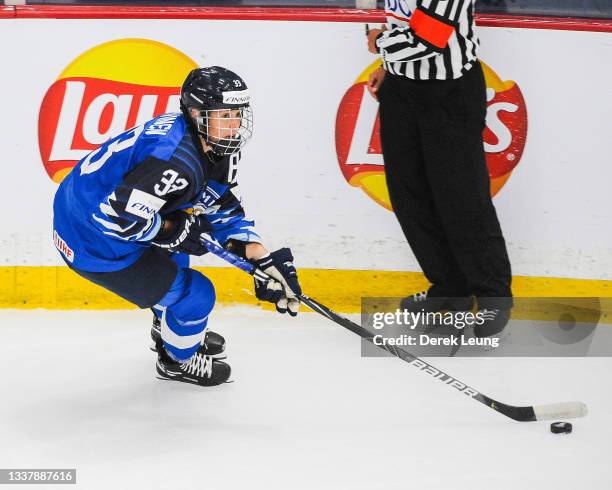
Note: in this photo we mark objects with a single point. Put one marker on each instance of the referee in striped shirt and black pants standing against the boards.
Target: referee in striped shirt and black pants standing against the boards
(433, 106)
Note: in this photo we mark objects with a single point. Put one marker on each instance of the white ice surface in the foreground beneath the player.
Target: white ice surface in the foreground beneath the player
(306, 411)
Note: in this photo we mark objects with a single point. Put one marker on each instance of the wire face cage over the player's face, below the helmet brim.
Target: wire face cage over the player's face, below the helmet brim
(226, 131)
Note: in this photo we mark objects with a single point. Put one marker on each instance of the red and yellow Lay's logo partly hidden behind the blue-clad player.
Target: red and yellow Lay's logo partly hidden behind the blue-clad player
(103, 92)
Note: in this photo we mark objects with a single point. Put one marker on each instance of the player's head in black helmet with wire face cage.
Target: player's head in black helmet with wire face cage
(218, 102)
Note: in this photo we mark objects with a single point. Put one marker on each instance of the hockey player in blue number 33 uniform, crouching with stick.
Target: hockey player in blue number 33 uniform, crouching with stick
(120, 221)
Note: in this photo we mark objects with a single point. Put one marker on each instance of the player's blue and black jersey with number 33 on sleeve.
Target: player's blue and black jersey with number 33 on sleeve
(110, 207)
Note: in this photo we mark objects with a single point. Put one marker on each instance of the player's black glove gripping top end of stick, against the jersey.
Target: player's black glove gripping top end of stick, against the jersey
(184, 235)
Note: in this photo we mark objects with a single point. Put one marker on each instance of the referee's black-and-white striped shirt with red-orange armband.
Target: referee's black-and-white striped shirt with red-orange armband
(429, 39)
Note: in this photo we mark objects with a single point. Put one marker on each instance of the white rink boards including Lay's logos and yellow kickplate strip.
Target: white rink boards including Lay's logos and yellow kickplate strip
(301, 185)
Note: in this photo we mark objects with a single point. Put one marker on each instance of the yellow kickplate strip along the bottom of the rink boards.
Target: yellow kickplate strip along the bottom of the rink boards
(341, 290)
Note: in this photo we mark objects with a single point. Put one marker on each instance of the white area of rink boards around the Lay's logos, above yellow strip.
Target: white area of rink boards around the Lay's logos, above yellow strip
(556, 208)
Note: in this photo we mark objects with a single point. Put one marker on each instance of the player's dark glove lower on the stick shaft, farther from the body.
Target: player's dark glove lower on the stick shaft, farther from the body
(284, 289)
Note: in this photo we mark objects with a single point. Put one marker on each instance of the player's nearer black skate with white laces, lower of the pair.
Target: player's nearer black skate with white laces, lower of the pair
(199, 369)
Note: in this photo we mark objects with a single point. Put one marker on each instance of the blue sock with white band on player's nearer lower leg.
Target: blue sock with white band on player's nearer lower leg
(186, 307)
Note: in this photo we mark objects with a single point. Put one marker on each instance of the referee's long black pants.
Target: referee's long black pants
(431, 133)
